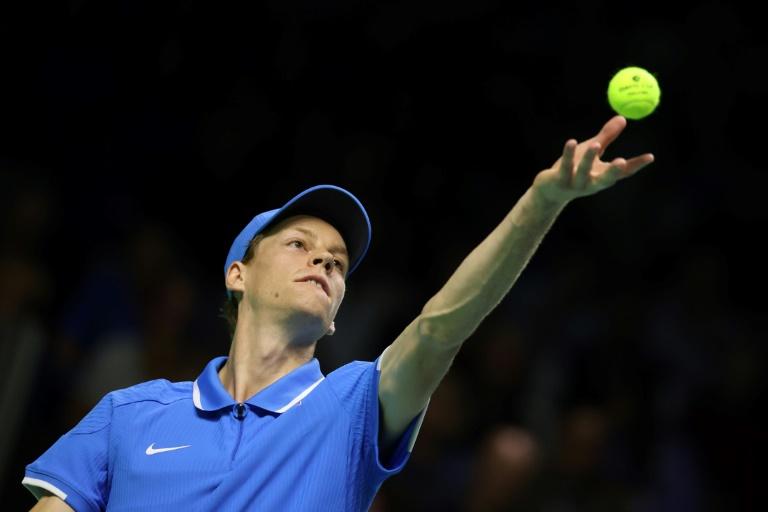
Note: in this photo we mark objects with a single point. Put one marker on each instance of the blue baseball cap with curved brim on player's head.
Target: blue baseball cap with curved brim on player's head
(333, 204)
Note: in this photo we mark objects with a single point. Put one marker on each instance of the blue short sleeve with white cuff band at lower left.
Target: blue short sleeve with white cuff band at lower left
(75, 468)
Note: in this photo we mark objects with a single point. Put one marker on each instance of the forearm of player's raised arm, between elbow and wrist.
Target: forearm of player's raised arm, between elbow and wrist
(489, 271)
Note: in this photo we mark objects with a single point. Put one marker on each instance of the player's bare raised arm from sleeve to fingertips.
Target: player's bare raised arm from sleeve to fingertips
(415, 363)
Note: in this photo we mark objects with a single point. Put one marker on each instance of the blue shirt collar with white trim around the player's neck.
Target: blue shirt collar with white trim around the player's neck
(208, 393)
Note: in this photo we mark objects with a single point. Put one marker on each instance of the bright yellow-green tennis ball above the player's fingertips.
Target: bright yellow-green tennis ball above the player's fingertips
(633, 92)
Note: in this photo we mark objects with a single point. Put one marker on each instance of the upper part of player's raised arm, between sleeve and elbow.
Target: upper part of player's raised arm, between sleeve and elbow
(411, 369)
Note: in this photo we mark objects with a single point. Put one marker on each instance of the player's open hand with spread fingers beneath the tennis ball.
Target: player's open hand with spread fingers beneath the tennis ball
(580, 172)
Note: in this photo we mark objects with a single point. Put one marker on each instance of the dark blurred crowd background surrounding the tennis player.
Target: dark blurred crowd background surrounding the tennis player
(624, 371)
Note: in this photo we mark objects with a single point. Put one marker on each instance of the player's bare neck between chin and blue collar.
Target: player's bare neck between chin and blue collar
(260, 354)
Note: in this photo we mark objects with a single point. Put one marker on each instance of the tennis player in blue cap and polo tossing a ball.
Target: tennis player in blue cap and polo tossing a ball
(263, 429)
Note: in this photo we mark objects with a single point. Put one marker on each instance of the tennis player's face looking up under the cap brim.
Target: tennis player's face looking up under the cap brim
(297, 270)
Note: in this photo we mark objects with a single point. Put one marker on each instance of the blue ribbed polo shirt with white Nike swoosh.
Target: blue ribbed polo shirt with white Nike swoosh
(306, 442)
